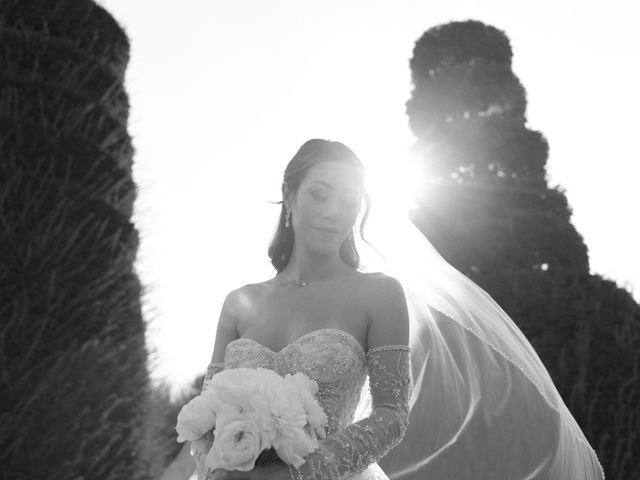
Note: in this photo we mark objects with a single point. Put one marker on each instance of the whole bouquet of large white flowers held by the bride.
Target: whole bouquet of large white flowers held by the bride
(247, 411)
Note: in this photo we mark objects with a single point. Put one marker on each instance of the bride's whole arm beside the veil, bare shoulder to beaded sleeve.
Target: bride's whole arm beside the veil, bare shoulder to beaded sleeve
(354, 448)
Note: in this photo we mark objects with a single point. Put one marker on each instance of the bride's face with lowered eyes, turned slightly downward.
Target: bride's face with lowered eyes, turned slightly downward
(326, 205)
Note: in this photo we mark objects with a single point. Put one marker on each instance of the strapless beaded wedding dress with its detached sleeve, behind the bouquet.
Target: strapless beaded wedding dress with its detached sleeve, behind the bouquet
(338, 363)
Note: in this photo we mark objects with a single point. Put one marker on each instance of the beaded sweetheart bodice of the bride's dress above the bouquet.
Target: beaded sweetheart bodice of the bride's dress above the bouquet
(332, 357)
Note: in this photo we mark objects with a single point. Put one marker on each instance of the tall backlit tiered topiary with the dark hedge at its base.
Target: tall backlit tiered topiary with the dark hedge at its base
(489, 211)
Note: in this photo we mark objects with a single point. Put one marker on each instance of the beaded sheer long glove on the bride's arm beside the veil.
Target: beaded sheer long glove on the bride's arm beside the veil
(357, 446)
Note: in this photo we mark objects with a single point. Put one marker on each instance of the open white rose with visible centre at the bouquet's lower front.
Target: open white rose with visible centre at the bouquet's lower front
(237, 442)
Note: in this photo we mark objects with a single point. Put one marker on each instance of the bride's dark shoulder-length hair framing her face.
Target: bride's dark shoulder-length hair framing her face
(312, 153)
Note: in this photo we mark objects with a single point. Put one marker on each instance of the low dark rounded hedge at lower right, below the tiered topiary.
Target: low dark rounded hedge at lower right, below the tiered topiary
(587, 332)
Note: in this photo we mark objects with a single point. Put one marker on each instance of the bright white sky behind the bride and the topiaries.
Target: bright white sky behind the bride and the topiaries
(224, 92)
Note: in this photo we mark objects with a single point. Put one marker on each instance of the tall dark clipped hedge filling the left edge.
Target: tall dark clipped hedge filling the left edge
(73, 358)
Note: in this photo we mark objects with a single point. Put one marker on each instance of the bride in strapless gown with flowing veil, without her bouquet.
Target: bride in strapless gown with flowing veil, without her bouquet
(419, 371)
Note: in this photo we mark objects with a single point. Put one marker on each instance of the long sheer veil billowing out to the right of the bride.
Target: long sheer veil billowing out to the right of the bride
(483, 404)
